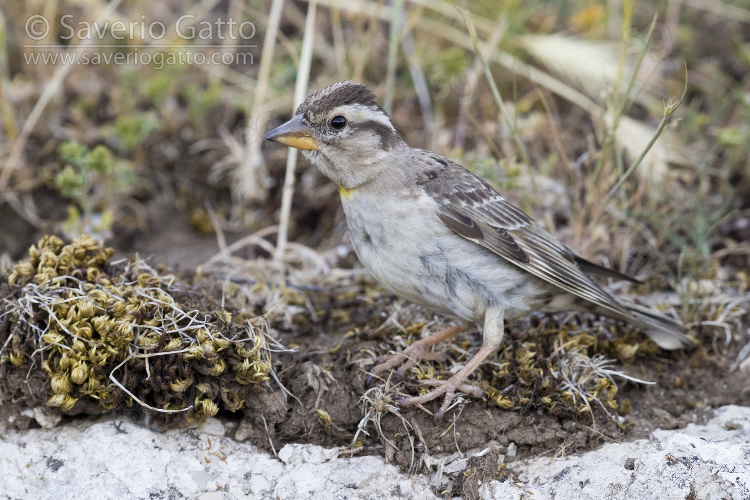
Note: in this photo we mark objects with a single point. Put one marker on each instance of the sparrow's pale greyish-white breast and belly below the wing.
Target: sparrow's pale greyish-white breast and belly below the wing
(414, 255)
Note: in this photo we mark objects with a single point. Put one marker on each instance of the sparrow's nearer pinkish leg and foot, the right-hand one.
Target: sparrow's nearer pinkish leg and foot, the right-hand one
(493, 336)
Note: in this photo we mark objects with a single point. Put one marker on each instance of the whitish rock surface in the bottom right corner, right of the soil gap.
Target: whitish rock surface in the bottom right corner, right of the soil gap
(701, 461)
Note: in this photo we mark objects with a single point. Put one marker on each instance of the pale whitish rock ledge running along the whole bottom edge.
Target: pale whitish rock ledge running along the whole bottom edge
(115, 458)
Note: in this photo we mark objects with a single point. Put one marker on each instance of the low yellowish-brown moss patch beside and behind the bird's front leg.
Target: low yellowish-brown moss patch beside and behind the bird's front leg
(550, 367)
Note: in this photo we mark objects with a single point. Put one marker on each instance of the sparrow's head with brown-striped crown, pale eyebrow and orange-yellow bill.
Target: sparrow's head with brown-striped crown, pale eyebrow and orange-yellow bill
(343, 131)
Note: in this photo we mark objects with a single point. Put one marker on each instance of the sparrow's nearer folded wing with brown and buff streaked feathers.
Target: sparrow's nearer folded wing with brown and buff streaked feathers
(471, 208)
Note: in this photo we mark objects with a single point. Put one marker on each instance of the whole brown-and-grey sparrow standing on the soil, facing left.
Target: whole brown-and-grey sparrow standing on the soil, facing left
(437, 235)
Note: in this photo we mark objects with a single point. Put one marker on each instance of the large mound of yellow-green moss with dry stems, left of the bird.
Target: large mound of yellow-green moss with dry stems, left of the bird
(110, 333)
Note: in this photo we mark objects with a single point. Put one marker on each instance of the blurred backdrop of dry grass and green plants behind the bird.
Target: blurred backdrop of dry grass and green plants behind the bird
(159, 151)
